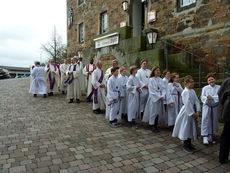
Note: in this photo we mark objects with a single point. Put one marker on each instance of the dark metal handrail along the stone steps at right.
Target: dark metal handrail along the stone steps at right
(201, 59)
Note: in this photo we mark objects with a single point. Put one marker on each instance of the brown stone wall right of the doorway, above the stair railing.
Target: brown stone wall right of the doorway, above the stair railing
(205, 26)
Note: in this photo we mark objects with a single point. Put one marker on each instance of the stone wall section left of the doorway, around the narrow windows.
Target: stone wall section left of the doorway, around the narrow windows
(89, 13)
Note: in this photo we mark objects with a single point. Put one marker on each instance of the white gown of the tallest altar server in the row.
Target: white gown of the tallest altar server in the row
(143, 76)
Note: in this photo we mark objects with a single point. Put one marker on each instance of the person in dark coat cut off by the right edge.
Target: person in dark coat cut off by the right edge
(224, 99)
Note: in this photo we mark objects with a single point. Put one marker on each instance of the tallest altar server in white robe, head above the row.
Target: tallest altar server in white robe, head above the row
(143, 76)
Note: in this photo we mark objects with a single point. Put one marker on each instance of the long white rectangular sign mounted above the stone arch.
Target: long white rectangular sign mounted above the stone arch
(107, 40)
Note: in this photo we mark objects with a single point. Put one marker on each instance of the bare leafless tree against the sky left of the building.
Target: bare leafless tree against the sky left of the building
(54, 48)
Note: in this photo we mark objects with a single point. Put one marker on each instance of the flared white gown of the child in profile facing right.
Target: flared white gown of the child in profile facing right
(185, 125)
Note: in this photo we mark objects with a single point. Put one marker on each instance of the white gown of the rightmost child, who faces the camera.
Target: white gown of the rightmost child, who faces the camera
(209, 124)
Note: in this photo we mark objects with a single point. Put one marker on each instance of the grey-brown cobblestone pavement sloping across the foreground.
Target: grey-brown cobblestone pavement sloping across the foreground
(49, 135)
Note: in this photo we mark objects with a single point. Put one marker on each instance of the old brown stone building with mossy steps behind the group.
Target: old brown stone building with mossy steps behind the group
(102, 29)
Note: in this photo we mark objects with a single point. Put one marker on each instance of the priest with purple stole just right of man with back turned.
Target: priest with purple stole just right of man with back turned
(52, 75)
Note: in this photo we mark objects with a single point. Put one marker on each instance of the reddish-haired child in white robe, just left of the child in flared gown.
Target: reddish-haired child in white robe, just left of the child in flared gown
(174, 100)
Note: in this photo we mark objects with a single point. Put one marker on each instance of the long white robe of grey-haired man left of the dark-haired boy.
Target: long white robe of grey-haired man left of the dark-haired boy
(101, 99)
